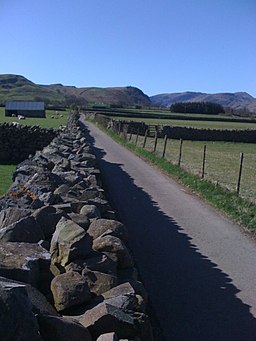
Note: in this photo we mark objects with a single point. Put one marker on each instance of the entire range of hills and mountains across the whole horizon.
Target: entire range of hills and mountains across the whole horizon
(16, 87)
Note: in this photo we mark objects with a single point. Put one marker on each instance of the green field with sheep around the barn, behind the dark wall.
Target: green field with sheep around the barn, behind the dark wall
(52, 120)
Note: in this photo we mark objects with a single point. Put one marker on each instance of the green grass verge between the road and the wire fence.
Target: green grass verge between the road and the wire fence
(238, 209)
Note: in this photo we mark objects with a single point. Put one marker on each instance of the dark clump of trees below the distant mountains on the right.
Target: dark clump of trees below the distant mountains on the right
(197, 108)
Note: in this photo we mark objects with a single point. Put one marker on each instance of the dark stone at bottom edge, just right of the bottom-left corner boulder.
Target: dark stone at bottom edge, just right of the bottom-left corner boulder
(54, 328)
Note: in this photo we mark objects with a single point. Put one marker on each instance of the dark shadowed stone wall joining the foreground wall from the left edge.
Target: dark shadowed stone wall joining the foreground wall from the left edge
(17, 141)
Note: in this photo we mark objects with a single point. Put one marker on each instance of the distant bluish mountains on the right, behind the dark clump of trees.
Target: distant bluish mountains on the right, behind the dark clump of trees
(236, 101)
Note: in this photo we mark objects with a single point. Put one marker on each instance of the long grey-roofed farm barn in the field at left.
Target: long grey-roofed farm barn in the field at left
(25, 108)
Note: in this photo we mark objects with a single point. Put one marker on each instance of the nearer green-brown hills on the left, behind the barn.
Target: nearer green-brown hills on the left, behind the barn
(15, 87)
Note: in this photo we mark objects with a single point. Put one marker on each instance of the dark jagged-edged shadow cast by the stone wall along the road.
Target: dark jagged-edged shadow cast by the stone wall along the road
(192, 299)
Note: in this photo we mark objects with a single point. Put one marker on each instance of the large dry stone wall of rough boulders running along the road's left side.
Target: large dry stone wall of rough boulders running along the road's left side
(66, 272)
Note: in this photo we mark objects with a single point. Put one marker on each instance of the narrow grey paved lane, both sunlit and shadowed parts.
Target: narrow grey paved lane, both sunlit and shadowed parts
(198, 268)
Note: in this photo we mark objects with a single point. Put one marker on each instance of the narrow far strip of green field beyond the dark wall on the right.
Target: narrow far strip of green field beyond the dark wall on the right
(193, 123)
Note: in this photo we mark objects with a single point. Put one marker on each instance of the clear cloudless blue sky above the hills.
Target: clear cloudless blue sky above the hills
(160, 46)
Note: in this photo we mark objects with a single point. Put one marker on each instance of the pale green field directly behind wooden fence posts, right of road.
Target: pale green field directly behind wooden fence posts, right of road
(222, 161)
